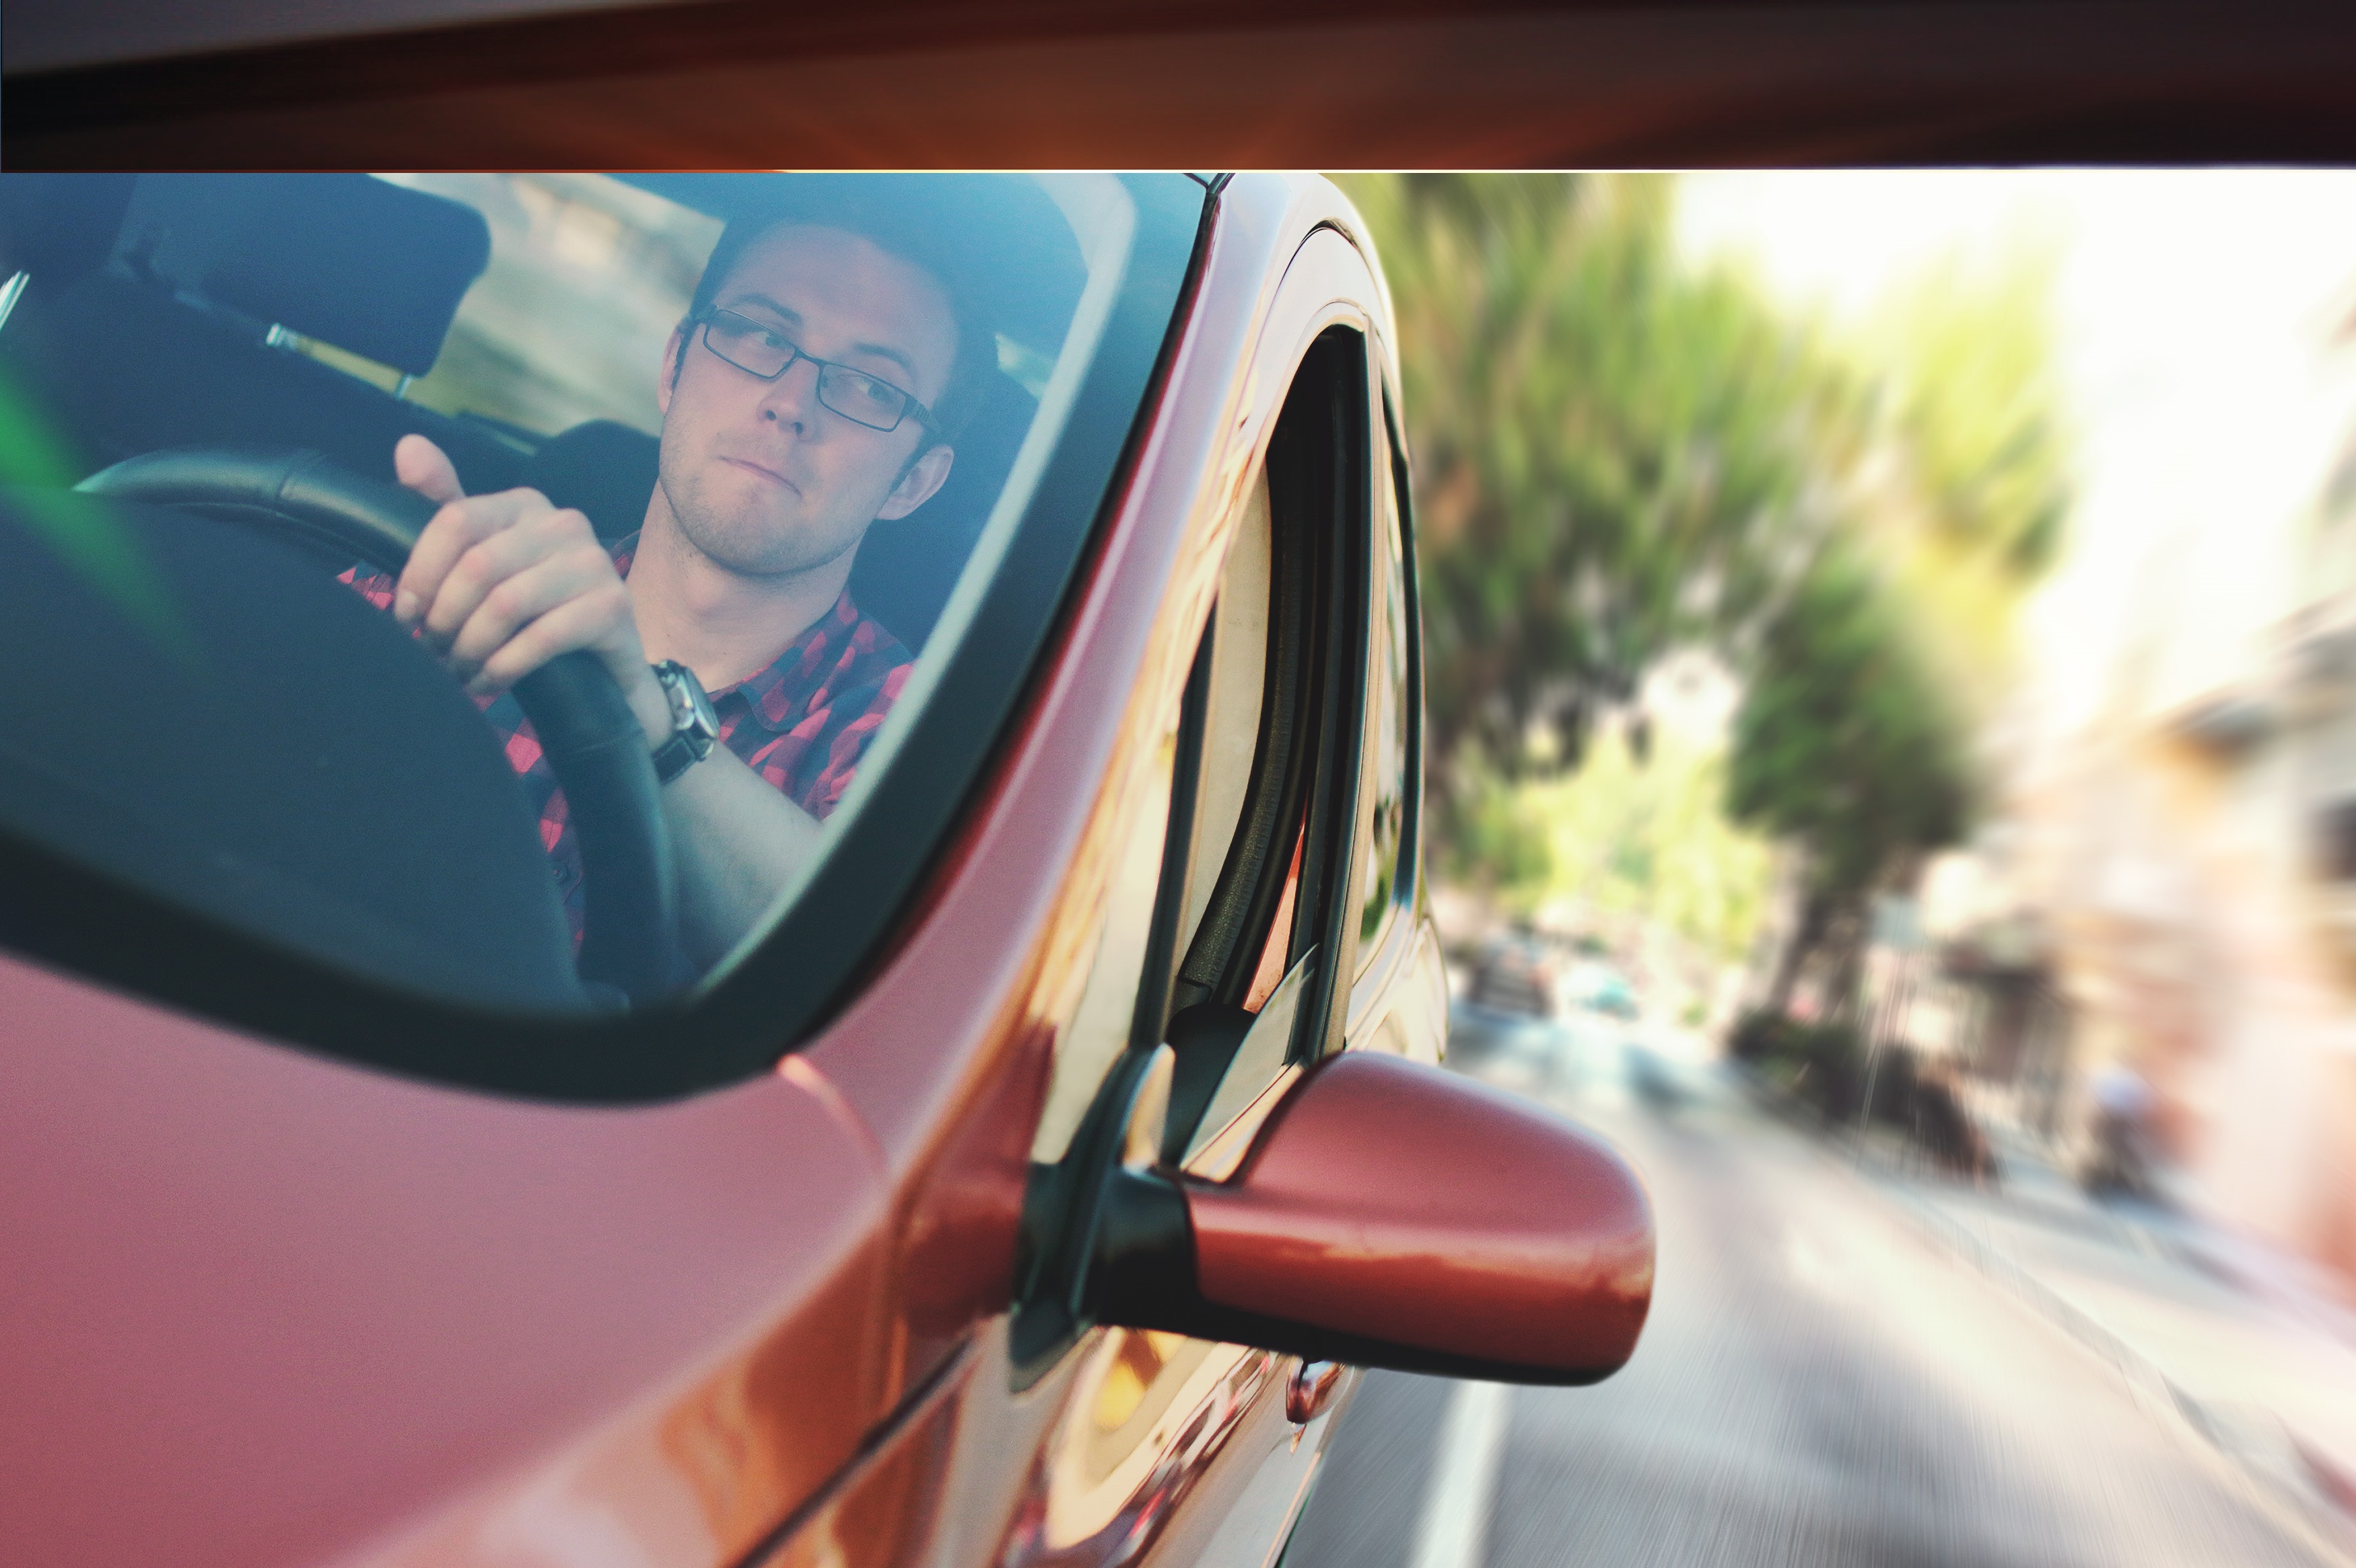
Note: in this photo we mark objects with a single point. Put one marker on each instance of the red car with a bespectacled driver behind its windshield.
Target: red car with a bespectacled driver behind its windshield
(1014, 1188)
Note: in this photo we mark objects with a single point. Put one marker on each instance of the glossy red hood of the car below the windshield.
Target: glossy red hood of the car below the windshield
(267, 1308)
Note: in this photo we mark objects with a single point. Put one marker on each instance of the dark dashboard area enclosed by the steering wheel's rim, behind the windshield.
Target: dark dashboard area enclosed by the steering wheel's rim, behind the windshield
(253, 743)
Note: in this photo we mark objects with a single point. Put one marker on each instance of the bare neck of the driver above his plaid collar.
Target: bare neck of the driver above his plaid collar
(720, 623)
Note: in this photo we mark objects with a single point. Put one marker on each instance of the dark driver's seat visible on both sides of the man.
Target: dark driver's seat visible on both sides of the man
(906, 569)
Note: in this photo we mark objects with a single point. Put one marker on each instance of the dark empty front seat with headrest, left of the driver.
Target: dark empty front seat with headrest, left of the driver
(150, 305)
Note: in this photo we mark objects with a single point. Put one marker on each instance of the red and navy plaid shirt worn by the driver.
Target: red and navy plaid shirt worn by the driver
(802, 722)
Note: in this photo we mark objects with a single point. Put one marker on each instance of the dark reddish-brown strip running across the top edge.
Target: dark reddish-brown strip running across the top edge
(1667, 84)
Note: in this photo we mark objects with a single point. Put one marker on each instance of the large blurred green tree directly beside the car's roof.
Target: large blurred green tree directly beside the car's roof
(1617, 456)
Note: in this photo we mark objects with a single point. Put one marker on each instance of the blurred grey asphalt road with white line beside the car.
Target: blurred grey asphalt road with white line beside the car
(1818, 1386)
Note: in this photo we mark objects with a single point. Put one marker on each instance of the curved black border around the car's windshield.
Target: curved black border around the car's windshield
(830, 943)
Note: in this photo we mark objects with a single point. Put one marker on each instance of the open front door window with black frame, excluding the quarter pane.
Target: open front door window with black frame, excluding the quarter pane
(1262, 952)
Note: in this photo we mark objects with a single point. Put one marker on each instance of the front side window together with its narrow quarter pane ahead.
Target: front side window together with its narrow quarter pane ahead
(1259, 813)
